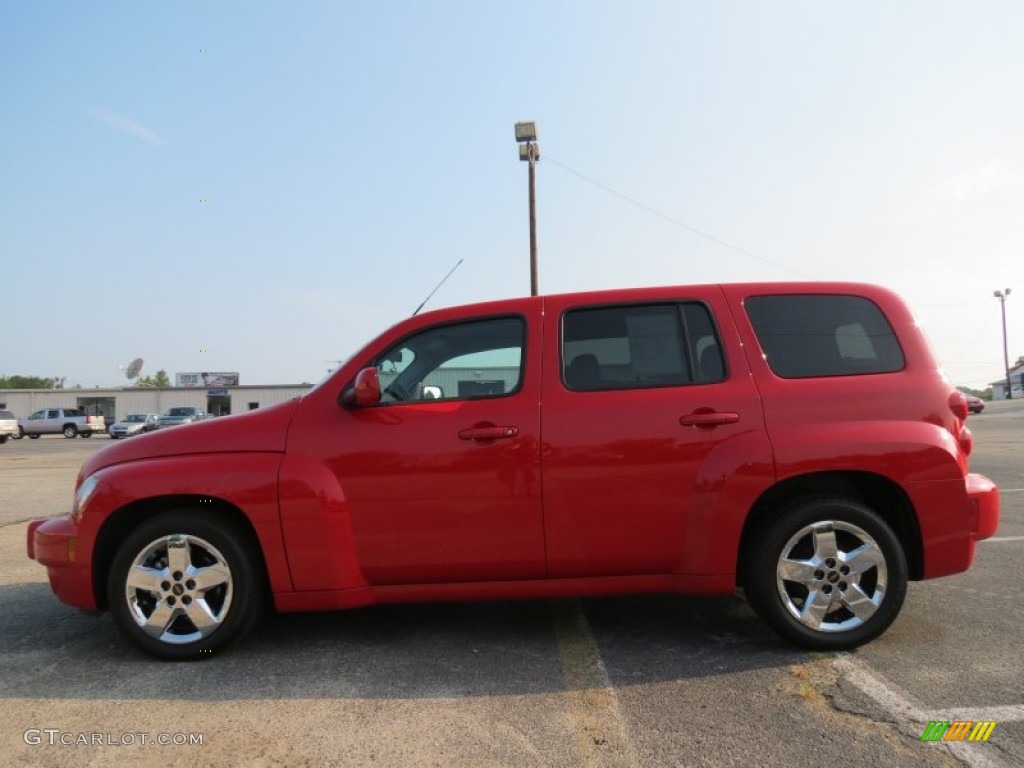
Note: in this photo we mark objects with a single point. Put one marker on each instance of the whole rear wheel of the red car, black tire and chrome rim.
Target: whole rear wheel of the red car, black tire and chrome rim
(807, 589)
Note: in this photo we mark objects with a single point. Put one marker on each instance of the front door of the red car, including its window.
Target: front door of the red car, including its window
(442, 480)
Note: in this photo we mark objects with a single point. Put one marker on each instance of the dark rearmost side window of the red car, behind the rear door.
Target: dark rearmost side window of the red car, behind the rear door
(805, 336)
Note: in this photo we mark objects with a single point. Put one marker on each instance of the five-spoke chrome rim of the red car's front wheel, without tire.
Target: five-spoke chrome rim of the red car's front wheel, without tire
(179, 589)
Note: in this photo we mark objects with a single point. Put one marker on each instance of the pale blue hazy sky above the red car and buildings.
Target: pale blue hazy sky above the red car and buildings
(265, 187)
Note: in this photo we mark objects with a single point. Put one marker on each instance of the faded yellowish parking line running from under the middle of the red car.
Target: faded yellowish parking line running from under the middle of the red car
(600, 732)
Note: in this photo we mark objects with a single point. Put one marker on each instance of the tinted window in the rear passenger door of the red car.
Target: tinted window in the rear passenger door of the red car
(639, 347)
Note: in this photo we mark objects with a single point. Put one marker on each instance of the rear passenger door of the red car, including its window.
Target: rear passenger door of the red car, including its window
(649, 413)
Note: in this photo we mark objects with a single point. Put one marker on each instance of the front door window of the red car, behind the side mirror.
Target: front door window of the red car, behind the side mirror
(465, 361)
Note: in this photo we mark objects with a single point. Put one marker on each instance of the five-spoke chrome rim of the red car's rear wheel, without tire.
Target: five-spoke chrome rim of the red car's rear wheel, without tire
(832, 576)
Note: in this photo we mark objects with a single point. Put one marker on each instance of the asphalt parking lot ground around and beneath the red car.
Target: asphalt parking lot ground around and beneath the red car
(641, 681)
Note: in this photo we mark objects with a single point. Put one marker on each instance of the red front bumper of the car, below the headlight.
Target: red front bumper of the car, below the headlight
(56, 543)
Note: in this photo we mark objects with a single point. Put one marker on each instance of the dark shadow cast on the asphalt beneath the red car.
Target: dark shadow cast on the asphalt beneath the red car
(407, 652)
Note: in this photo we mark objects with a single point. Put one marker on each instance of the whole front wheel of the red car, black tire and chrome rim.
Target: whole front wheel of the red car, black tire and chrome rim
(184, 587)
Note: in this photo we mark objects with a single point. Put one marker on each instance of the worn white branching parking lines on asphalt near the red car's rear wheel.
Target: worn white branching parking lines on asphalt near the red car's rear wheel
(911, 717)
